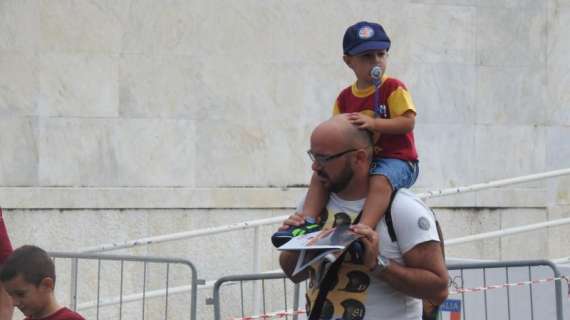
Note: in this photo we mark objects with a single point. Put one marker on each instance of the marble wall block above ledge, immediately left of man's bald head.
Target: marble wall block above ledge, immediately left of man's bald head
(269, 153)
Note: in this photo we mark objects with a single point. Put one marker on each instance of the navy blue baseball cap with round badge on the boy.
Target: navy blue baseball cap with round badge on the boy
(364, 36)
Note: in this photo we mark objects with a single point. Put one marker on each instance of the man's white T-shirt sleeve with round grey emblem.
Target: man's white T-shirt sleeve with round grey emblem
(413, 221)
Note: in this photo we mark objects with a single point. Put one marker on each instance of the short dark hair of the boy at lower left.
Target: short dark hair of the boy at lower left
(32, 262)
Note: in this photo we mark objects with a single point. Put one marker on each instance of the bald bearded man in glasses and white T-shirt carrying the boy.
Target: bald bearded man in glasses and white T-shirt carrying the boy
(390, 278)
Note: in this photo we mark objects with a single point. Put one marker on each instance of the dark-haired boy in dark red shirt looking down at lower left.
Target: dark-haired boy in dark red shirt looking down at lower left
(28, 276)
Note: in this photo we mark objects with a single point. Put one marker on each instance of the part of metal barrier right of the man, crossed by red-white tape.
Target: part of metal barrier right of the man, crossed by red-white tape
(506, 290)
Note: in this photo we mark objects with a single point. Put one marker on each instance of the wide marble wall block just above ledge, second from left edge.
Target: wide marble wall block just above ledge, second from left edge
(103, 152)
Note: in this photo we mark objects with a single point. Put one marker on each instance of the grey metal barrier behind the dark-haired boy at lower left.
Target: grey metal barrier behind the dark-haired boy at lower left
(110, 284)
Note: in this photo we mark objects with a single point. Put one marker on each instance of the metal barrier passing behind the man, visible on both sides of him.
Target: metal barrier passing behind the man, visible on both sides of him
(489, 290)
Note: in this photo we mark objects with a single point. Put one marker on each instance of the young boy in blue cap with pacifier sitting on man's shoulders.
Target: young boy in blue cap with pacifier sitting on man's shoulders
(377, 103)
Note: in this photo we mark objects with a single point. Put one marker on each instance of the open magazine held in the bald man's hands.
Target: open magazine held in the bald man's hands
(324, 246)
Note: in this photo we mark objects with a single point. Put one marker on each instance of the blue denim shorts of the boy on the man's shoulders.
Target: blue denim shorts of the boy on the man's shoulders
(400, 173)
